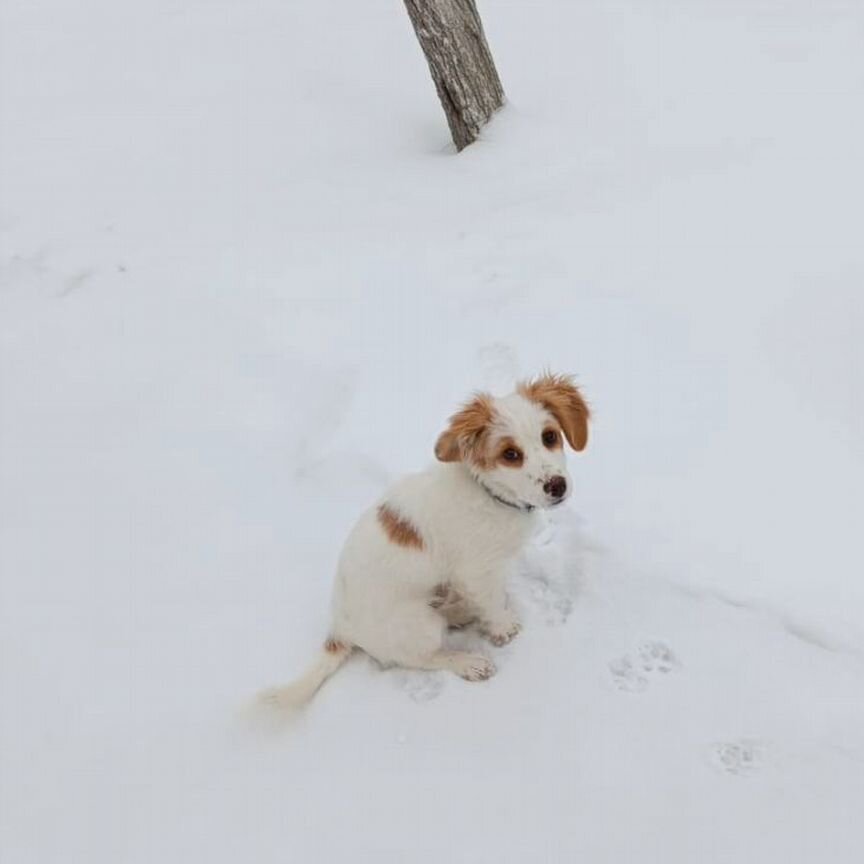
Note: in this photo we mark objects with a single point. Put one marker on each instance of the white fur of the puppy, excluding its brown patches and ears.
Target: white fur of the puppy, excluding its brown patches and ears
(383, 591)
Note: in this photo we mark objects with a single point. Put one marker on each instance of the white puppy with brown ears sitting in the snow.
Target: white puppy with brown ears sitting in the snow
(434, 551)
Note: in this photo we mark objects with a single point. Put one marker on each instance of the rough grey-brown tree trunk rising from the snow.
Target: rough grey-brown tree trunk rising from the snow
(462, 68)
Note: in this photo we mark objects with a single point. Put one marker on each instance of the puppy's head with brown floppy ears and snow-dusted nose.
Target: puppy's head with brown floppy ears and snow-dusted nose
(515, 445)
